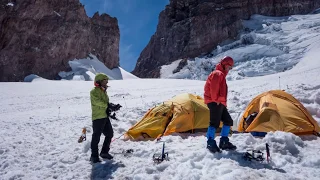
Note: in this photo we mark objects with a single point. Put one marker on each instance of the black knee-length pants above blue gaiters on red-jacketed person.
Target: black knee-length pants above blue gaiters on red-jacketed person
(219, 113)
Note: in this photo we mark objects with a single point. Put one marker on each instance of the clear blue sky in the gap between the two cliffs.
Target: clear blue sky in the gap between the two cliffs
(137, 20)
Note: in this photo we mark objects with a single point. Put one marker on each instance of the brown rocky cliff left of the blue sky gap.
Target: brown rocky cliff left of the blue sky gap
(41, 36)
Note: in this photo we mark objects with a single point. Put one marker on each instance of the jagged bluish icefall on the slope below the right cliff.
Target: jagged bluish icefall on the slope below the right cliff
(267, 46)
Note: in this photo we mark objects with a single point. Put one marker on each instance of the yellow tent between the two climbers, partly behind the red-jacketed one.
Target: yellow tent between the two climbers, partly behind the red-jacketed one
(182, 113)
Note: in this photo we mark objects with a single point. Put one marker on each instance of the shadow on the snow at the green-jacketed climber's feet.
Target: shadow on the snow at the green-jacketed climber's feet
(104, 169)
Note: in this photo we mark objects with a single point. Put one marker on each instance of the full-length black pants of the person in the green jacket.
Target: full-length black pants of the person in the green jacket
(101, 126)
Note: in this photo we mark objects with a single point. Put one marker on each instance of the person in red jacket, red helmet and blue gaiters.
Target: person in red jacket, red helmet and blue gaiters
(215, 96)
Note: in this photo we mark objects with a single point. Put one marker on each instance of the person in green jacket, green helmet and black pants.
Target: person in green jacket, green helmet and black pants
(100, 121)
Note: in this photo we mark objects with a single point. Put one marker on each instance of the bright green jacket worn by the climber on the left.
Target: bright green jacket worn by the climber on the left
(99, 103)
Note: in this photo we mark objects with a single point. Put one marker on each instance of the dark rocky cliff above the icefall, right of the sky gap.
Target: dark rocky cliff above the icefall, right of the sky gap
(189, 28)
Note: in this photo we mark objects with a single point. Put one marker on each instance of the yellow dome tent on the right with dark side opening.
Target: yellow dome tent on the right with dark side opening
(277, 111)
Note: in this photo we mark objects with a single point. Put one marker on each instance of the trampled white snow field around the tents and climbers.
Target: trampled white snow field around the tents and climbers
(42, 121)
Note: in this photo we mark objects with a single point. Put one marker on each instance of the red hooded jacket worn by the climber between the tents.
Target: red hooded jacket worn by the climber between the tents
(216, 88)
